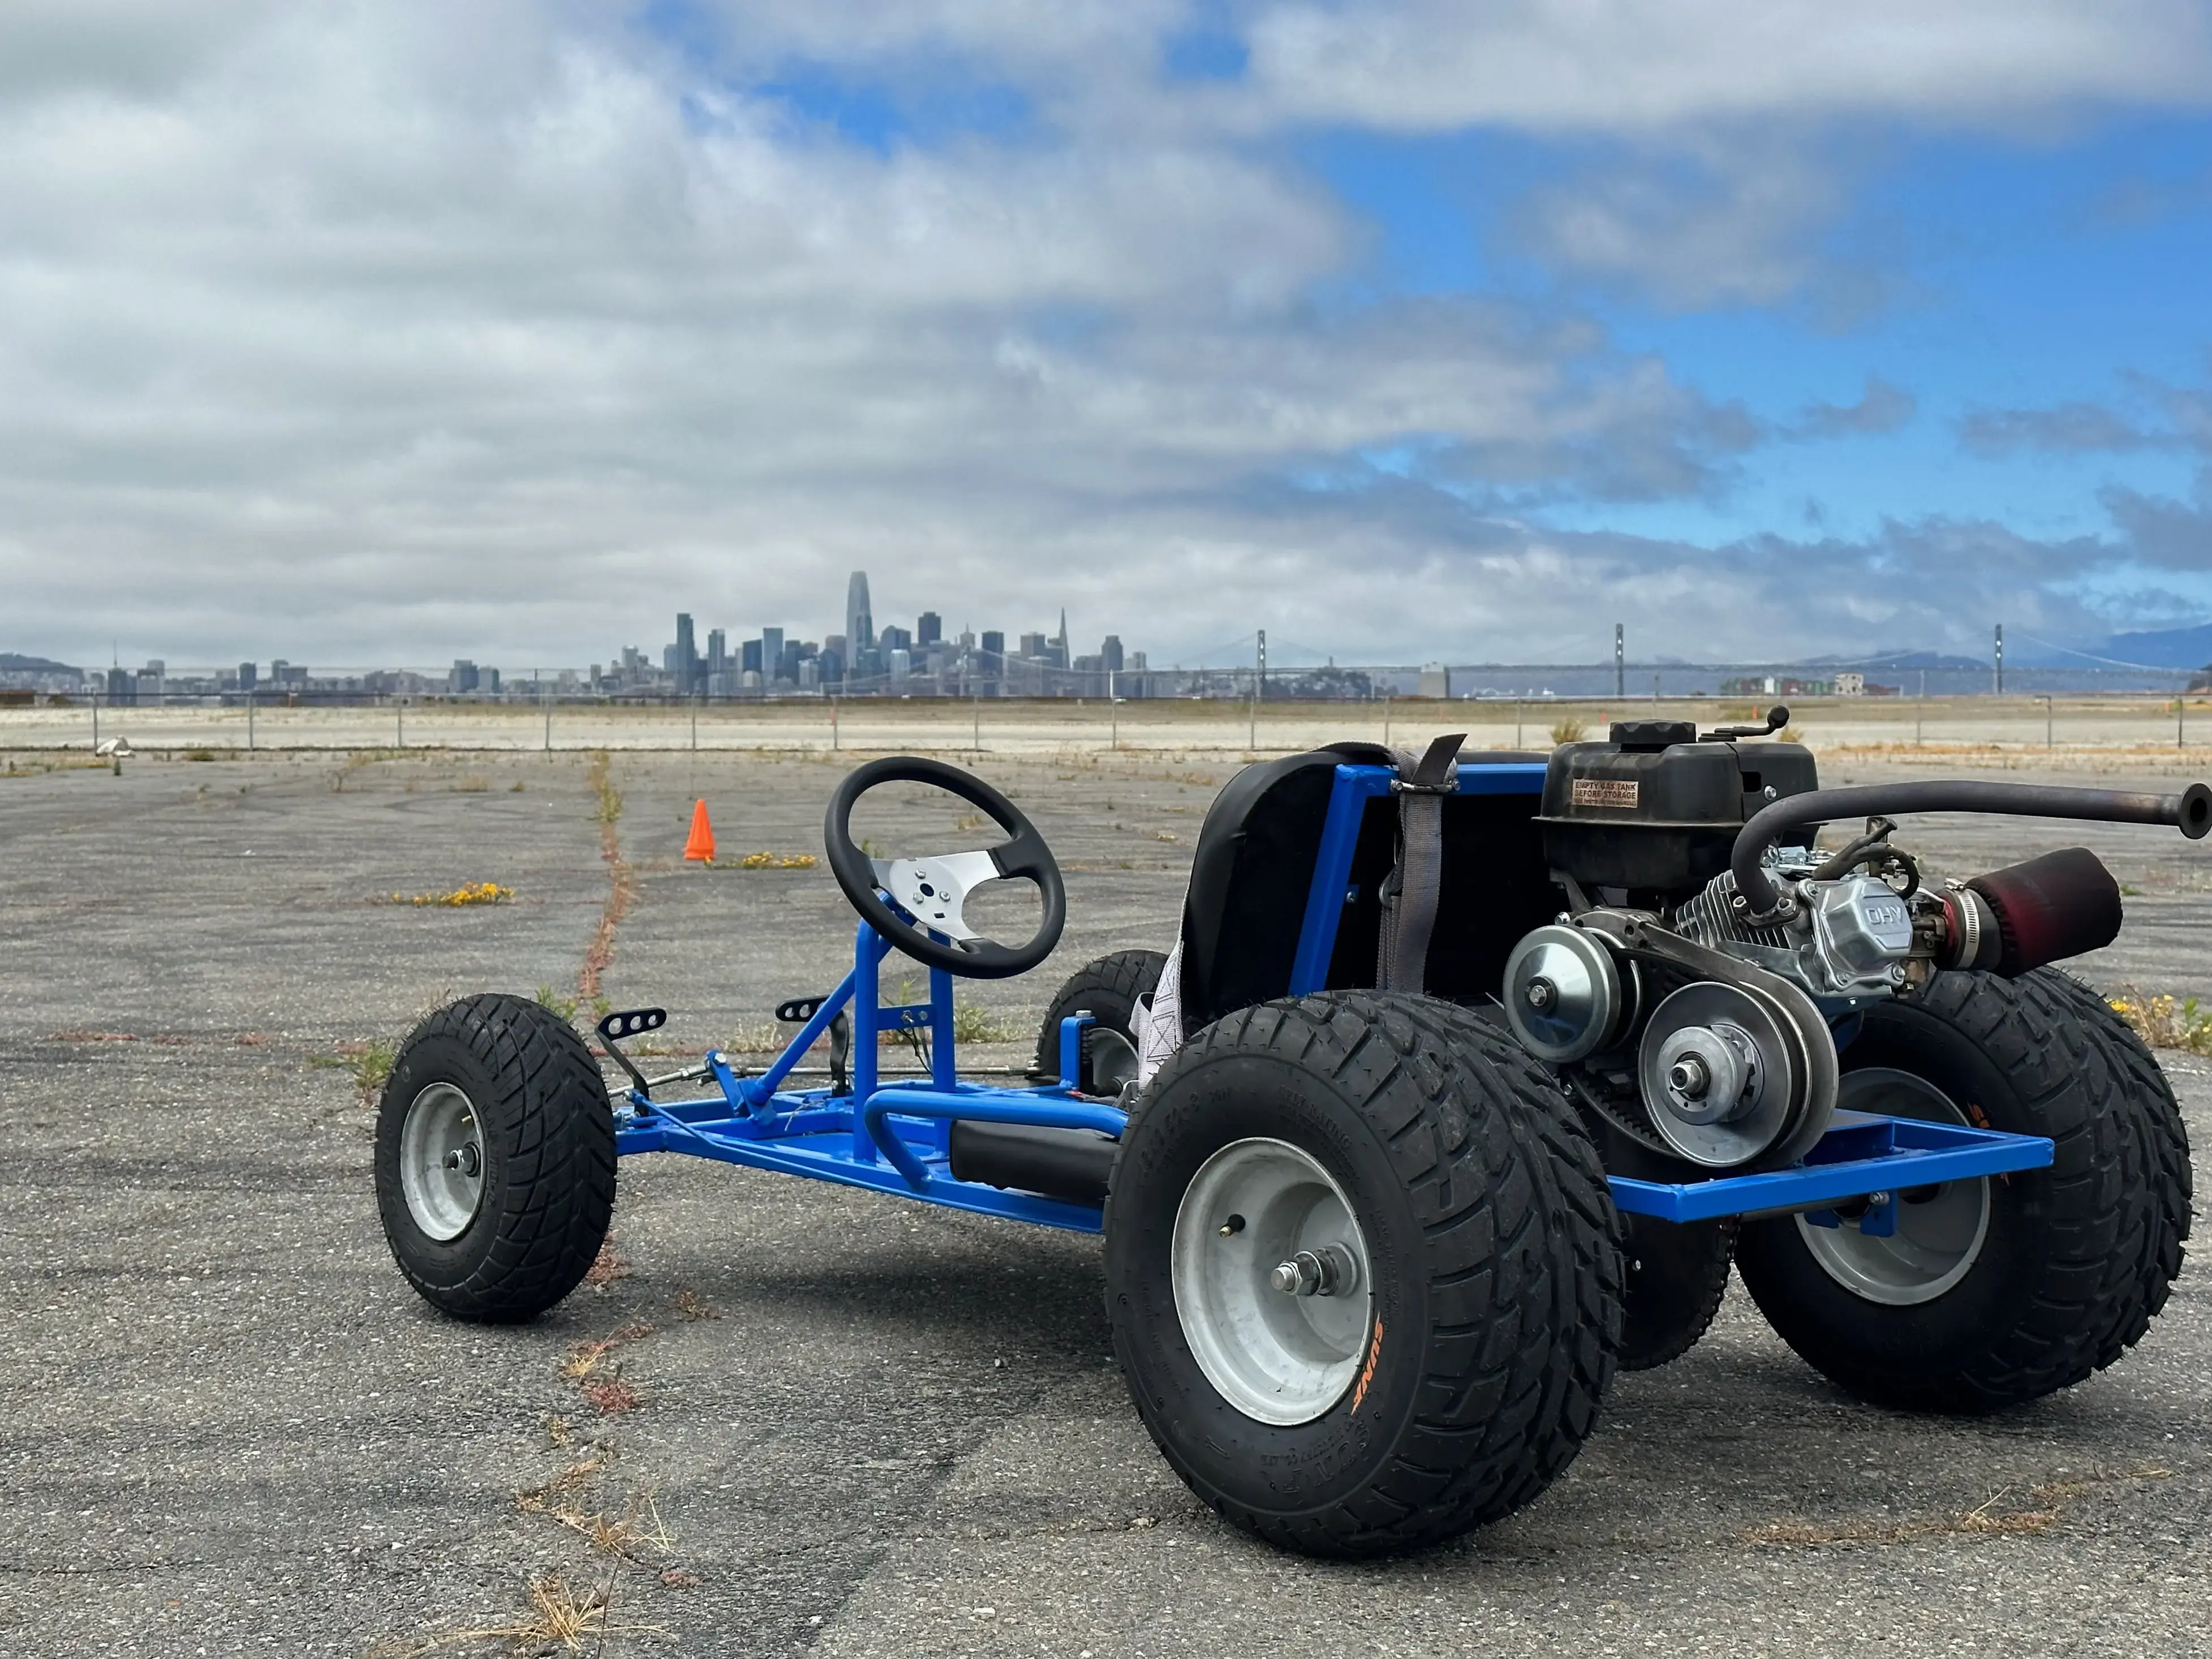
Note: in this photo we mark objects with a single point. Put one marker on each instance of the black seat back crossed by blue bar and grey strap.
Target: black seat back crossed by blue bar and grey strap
(1255, 866)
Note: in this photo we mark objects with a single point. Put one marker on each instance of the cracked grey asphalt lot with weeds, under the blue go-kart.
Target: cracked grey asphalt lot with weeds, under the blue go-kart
(842, 1423)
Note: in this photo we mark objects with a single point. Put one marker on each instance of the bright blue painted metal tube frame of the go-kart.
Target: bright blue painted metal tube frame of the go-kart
(897, 1136)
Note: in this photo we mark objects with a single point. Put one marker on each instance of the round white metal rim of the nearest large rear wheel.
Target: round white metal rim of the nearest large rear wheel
(1273, 1355)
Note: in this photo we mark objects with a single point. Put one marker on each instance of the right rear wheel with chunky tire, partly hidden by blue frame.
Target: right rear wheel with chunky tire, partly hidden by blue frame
(1999, 1291)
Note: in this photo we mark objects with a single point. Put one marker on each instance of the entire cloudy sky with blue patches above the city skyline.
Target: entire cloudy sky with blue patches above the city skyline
(390, 333)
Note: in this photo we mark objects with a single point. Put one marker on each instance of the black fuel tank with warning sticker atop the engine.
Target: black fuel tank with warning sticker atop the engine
(1656, 811)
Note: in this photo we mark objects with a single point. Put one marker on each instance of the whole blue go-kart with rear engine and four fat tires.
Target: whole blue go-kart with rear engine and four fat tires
(1463, 1087)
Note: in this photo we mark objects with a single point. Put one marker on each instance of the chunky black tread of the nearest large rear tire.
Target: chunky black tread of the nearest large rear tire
(1507, 1392)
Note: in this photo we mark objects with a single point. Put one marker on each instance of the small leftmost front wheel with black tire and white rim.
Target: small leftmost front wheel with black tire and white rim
(494, 1160)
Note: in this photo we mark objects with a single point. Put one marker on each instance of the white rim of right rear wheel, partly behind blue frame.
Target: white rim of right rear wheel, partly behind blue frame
(1941, 1231)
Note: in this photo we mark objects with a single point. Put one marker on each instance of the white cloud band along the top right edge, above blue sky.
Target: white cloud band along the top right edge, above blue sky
(1658, 65)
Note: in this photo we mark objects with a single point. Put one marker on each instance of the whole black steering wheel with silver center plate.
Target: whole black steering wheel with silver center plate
(926, 895)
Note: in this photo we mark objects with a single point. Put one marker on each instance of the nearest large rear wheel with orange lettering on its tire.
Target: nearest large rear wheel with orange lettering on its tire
(1364, 1273)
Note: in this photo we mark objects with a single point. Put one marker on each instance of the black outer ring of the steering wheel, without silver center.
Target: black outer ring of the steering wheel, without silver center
(1023, 855)
